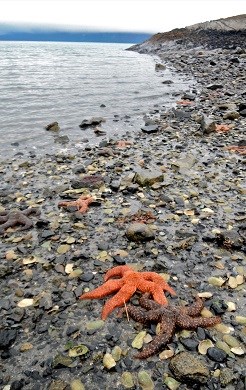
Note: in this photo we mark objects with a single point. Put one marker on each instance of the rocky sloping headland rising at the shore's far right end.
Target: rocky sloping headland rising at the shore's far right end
(226, 33)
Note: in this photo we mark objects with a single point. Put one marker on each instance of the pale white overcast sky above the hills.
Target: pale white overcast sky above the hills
(121, 15)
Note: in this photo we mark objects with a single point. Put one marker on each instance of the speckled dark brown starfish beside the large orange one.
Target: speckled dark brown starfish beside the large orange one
(170, 317)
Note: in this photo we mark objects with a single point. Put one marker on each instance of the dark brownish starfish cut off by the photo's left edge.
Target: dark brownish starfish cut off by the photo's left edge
(16, 217)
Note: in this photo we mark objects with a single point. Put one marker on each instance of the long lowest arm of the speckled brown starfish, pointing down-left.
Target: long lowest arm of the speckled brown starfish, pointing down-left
(159, 342)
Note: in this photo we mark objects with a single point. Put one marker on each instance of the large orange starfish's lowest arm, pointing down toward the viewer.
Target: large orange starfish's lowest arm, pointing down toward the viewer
(119, 299)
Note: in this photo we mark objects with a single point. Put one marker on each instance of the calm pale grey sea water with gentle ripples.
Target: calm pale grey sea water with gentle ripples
(68, 82)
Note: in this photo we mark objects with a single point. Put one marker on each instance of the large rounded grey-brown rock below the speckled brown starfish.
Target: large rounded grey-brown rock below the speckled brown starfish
(188, 368)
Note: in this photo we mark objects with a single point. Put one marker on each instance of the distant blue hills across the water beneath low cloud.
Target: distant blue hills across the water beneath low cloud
(12, 33)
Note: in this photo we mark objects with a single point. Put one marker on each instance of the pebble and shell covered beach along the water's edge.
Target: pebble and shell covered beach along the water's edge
(197, 230)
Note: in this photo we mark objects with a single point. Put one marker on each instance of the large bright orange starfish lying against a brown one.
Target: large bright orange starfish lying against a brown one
(127, 285)
